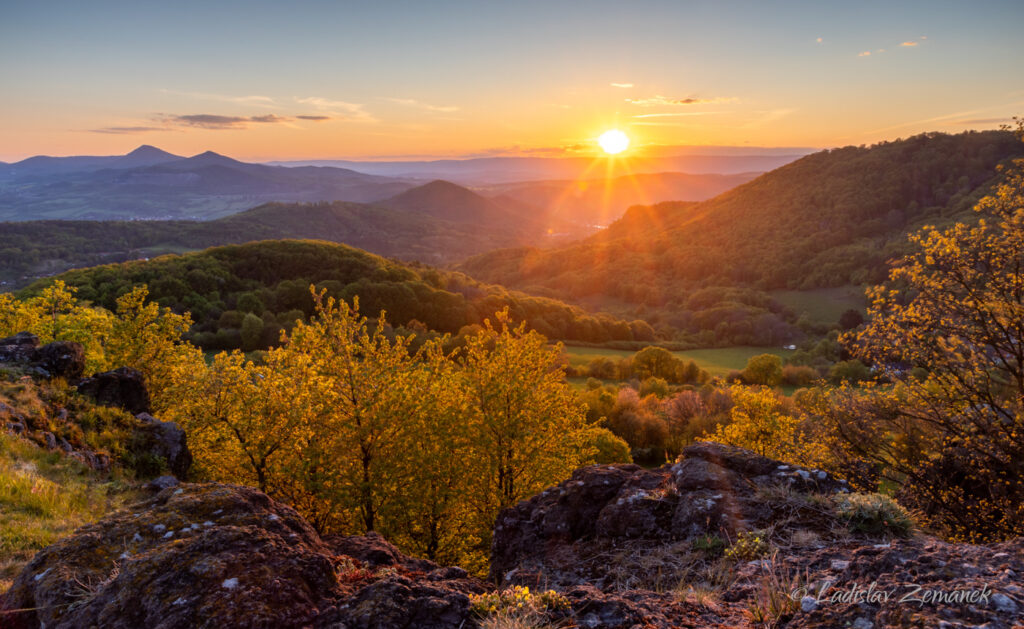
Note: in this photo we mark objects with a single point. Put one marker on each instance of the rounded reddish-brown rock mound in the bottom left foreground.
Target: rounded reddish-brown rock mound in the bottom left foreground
(236, 559)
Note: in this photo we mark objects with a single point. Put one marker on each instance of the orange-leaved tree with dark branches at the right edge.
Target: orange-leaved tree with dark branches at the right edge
(954, 309)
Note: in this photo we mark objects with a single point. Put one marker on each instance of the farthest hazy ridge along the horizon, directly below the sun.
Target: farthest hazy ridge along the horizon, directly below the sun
(485, 172)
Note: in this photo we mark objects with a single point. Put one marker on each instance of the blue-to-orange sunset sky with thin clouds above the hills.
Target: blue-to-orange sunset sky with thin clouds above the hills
(411, 80)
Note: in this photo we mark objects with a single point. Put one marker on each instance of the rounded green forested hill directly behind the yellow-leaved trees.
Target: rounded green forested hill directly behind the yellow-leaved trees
(242, 296)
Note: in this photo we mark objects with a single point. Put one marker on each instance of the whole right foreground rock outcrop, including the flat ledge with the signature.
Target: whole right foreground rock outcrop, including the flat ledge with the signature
(641, 547)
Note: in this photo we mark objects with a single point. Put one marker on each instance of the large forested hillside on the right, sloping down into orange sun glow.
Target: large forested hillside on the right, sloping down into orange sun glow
(829, 220)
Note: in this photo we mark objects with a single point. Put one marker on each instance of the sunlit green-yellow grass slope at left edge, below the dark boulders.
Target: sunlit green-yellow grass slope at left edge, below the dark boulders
(45, 496)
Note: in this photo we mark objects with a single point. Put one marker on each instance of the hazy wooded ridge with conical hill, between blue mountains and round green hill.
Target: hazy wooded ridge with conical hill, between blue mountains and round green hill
(38, 248)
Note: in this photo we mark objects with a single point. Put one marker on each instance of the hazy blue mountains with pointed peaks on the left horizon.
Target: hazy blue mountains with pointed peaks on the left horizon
(150, 184)
